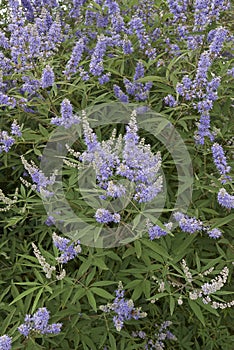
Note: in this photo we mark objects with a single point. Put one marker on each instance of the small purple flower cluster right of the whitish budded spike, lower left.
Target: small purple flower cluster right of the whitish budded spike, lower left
(69, 250)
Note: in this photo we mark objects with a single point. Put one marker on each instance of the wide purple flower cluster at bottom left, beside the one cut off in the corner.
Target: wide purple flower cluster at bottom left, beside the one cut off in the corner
(38, 322)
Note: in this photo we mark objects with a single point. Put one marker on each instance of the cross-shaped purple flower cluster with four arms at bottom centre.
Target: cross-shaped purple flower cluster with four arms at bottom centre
(124, 309)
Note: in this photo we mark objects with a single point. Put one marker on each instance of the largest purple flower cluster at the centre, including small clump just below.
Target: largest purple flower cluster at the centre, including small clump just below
(129, 158)
